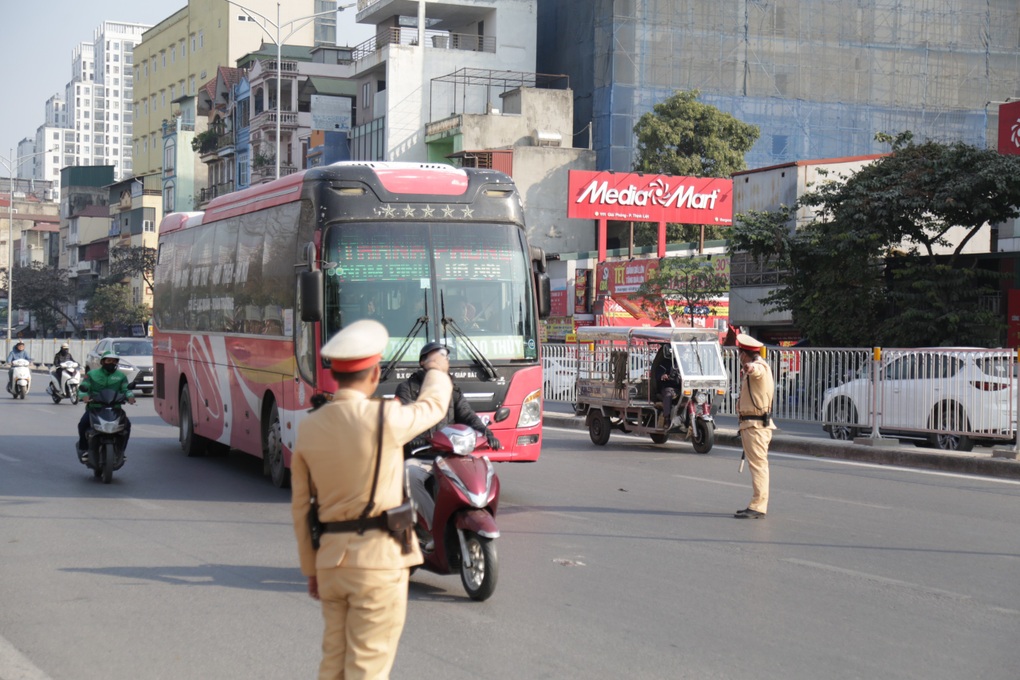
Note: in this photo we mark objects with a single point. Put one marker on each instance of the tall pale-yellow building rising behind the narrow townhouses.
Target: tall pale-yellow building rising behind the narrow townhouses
(183, 53)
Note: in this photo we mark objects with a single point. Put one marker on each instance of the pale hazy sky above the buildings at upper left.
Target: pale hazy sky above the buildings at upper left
(36, 44)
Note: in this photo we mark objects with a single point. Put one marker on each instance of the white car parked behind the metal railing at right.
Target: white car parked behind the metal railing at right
(949, 399)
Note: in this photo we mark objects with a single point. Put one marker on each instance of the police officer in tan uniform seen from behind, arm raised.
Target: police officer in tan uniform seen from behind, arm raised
(361, 579)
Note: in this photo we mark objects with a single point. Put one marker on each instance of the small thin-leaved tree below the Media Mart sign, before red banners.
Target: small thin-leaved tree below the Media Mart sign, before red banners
(682, 287)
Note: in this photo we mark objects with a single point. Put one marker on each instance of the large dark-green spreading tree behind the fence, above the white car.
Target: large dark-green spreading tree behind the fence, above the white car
(883, 259)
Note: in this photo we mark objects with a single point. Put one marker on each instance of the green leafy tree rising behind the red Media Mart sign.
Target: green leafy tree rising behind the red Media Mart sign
(688, 138)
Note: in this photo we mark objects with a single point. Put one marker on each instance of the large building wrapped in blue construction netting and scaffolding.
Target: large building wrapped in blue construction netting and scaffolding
(820, 78)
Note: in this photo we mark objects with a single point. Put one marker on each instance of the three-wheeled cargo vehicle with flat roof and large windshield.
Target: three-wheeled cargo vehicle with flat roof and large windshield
(619, 371)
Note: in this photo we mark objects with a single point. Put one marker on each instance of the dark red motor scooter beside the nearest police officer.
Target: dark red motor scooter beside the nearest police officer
(467, 492)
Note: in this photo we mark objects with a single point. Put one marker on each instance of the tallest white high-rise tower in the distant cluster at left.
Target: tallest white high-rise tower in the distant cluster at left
(99, 98)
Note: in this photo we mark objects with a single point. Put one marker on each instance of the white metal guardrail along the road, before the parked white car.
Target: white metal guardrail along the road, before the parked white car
(927, 394)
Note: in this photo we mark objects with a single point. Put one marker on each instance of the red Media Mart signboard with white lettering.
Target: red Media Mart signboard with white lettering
(650, 198)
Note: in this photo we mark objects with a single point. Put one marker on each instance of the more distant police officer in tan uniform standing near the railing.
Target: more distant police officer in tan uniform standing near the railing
(755, 409)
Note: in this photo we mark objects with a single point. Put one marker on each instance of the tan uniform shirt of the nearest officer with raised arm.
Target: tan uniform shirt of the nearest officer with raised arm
(337, 443)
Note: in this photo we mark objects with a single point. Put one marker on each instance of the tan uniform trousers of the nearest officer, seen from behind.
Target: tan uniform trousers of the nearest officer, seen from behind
(365, 612)
